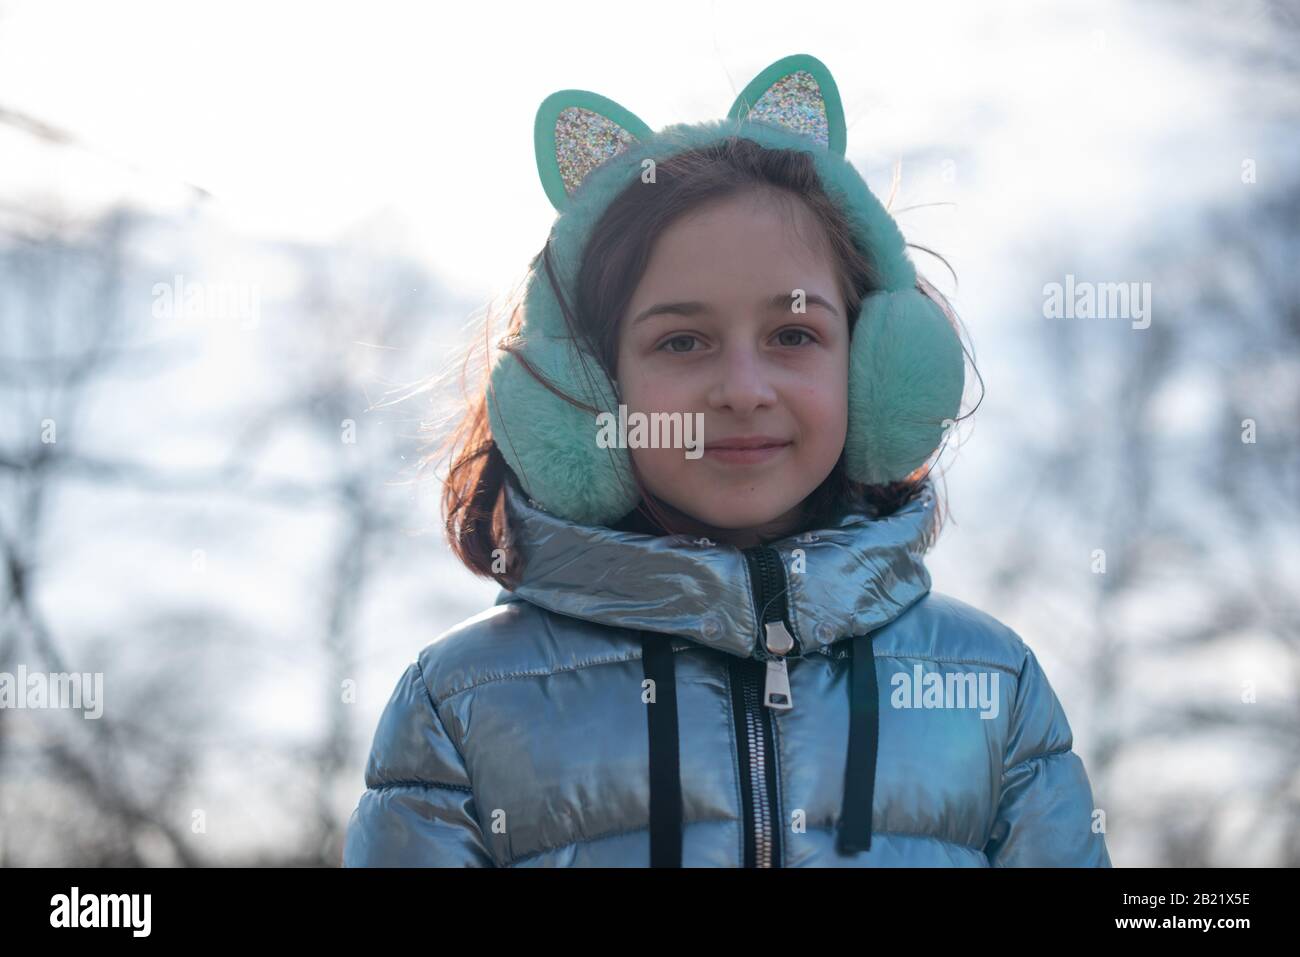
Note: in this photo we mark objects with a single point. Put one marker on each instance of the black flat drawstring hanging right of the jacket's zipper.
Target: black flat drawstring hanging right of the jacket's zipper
(860, 776)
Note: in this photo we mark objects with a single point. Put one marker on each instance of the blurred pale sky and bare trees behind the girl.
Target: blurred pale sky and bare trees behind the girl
(246, 250)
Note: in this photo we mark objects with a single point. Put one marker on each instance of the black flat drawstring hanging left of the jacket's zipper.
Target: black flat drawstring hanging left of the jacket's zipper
(665, 757)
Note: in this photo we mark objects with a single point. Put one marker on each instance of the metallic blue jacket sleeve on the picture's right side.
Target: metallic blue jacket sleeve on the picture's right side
(1046, 813)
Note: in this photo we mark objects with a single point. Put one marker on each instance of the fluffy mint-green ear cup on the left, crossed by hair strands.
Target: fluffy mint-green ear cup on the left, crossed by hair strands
(551, 444)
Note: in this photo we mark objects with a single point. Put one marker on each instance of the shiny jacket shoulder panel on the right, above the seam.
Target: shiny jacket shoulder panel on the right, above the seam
(946, 629)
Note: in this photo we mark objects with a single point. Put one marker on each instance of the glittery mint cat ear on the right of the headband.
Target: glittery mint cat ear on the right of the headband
(799, 94)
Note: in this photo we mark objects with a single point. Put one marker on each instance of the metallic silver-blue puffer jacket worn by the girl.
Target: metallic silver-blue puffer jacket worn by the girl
(629, 705)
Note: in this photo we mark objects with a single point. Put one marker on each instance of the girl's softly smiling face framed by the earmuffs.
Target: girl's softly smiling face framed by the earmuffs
(716, 327)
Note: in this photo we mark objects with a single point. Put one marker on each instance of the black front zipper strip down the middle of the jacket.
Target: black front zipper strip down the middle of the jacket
(755, 737)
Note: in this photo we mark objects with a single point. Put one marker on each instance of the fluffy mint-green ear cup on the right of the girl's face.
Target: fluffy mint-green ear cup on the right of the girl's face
(907, 373)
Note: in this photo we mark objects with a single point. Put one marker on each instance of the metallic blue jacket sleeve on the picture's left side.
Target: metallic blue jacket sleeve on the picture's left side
(419, 808)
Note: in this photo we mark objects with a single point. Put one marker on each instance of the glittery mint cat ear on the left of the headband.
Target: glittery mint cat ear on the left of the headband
(575, 132)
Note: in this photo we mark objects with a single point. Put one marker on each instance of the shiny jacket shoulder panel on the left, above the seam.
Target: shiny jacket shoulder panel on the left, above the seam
(517, 639)
